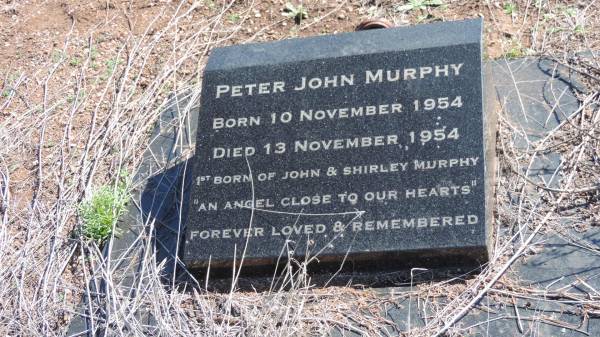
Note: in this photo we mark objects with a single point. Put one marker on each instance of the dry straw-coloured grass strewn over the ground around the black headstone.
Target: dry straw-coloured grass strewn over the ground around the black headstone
(65, 129)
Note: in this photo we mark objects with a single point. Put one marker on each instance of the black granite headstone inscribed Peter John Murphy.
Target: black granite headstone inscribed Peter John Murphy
(375, 147)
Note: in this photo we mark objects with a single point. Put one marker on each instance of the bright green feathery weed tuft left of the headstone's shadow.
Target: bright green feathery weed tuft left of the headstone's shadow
(100, 212)
